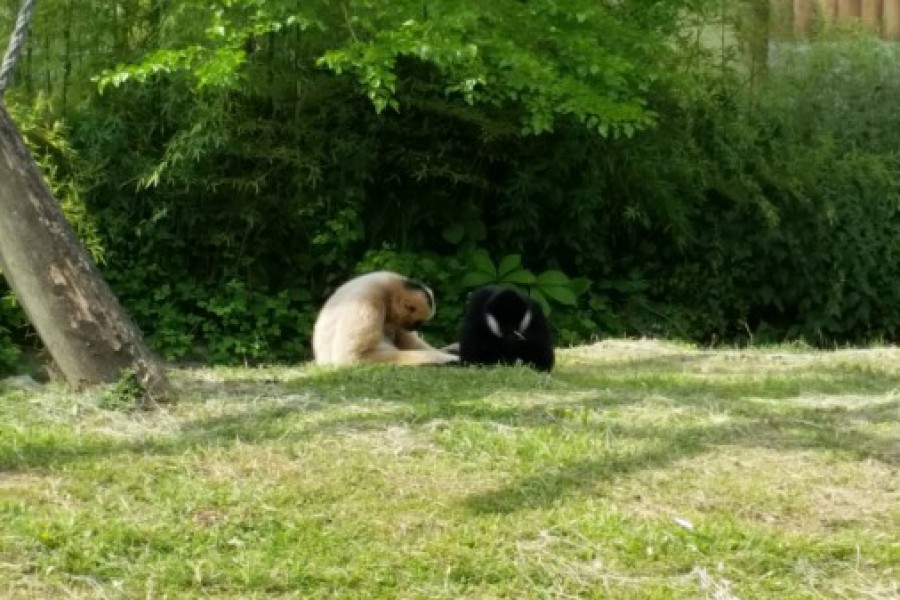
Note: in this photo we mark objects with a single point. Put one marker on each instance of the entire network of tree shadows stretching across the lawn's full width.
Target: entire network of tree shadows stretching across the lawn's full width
(304, 406)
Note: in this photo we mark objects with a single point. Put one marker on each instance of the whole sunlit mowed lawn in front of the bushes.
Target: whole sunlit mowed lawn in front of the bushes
(637, 470)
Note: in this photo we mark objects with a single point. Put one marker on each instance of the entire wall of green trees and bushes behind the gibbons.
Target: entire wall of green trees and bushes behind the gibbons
(228, 163)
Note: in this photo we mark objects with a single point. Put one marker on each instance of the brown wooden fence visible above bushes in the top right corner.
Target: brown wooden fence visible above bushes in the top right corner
(882, 16)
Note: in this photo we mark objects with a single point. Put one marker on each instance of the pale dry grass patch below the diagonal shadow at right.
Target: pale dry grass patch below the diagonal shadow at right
(799, 492)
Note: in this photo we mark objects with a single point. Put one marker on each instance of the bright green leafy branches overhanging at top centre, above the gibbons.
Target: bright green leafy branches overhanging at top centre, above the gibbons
(549, 61)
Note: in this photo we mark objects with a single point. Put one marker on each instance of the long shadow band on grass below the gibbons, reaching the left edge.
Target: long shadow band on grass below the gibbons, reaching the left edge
(287, 410)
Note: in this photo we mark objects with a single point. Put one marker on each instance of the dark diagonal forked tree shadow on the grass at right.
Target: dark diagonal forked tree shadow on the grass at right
(762, 424)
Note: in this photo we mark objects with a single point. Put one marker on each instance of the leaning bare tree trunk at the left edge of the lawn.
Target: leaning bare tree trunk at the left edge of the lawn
(83, 326)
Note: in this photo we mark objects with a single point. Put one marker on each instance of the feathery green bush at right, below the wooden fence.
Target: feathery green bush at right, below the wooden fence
(796, 222)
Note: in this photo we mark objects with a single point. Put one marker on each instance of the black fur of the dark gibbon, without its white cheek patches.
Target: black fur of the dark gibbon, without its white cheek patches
(480, 346)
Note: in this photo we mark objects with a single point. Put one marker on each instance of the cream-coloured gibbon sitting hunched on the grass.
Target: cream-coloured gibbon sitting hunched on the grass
(373, 318)
